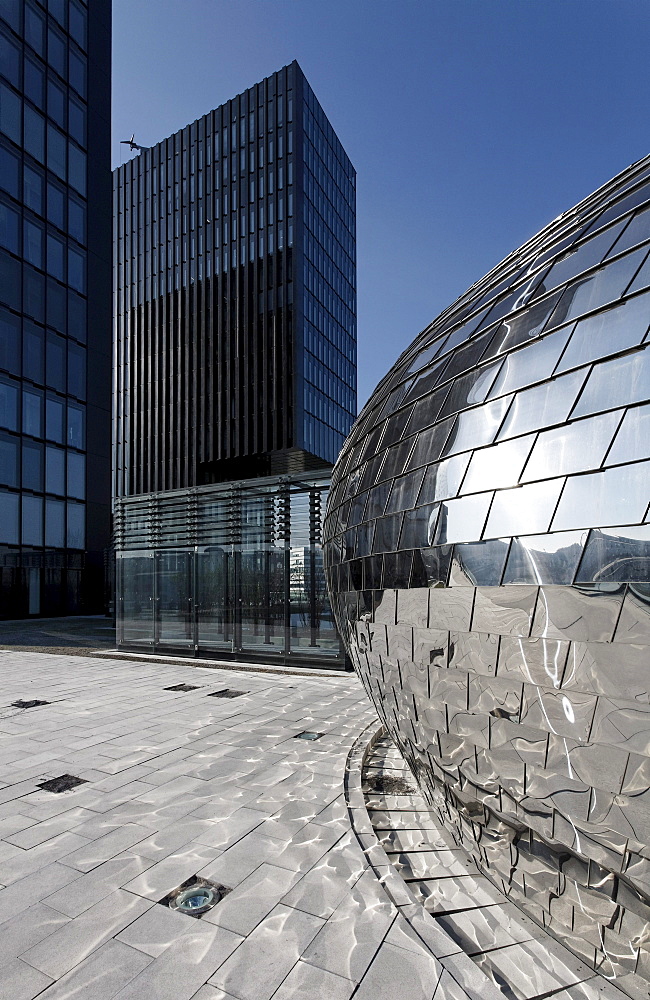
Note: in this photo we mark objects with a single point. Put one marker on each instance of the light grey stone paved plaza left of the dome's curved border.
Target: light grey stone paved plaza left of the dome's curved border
(177, 784)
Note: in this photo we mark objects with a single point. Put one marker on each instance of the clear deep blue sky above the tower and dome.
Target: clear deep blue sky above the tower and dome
(471, 123)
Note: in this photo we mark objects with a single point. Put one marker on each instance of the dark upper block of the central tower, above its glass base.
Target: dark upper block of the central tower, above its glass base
(235, 295)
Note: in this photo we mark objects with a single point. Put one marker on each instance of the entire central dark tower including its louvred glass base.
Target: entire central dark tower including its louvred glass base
(236, 373)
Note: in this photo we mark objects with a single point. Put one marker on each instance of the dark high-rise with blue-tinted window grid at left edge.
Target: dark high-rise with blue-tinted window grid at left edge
(55, 302)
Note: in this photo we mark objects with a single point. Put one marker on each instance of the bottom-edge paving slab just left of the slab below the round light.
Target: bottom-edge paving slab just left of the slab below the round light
(100, 976)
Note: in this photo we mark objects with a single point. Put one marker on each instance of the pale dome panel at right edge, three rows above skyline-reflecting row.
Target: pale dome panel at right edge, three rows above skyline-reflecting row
(620, 382)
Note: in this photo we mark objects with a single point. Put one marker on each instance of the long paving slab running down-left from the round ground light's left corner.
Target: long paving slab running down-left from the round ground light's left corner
(71, 944)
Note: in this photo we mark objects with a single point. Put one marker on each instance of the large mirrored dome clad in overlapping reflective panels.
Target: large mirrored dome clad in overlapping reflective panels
(487, 546)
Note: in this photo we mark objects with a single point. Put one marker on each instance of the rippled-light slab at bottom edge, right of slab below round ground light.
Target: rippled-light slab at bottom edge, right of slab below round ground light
(262, 962)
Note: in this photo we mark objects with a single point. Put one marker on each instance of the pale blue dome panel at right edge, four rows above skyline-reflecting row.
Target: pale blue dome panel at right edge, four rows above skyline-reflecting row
(609, 332)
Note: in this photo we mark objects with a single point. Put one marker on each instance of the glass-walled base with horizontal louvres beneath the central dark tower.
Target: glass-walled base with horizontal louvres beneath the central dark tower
(230, 571)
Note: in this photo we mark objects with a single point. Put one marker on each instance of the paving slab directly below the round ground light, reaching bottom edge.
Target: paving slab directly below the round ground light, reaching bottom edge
(185, 966)
